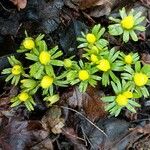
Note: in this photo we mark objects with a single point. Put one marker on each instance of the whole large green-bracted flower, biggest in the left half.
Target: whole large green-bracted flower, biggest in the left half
(44, 60)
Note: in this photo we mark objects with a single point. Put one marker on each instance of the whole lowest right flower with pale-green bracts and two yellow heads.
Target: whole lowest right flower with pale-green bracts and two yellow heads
(123, 98)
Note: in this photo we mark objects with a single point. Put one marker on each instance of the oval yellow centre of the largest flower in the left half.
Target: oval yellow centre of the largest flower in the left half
(44, 57)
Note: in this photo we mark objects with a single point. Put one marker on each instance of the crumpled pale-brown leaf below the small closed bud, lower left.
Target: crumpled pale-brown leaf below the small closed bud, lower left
(52, 121)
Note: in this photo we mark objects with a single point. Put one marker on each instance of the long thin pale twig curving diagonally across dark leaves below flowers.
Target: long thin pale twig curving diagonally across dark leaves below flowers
(86, 119)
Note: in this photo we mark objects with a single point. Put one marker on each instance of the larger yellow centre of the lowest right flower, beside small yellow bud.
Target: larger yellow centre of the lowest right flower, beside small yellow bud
(122, 100)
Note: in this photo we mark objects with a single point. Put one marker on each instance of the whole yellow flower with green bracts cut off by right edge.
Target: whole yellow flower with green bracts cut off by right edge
(138, 78)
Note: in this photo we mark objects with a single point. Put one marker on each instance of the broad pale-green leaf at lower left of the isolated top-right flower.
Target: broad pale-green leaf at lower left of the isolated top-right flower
(115, 29)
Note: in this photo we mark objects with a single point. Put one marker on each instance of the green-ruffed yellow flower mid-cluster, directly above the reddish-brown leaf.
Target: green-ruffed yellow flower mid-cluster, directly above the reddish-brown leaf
(84, 74)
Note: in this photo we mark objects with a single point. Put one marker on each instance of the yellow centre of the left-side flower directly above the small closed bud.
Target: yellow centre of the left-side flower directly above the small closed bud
(46, 82)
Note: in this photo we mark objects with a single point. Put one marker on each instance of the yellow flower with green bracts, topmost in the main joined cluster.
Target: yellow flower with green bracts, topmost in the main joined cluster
(93, 39)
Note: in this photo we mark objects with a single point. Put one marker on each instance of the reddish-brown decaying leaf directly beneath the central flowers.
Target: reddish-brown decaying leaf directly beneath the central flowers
(89, 101)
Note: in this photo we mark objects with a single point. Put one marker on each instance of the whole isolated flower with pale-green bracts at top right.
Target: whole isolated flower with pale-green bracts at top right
(127, 25)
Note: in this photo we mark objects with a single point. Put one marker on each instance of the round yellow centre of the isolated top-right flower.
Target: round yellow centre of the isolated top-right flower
(127, 22)
